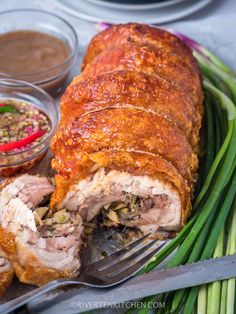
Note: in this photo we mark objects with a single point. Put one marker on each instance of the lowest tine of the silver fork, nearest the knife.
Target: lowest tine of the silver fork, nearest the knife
(118, 277)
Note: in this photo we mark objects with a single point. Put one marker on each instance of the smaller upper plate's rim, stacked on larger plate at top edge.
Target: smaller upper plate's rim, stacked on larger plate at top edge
(131, 7)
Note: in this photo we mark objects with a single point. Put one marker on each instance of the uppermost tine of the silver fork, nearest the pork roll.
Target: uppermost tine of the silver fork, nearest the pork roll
(108, 259)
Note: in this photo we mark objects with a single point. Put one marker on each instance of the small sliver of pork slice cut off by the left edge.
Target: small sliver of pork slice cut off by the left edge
(6, 275)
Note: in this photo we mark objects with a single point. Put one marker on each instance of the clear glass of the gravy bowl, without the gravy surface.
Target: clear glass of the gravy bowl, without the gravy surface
(54, 79)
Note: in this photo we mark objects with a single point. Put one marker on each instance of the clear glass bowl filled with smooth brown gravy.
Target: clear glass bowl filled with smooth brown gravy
(38, 47)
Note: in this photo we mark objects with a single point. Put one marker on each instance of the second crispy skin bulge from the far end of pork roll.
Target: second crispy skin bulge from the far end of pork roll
(150, 60)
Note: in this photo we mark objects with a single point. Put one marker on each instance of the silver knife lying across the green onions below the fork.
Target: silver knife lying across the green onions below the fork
(155, 282)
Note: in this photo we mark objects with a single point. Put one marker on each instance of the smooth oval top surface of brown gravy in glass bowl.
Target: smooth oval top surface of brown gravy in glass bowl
(23, 52)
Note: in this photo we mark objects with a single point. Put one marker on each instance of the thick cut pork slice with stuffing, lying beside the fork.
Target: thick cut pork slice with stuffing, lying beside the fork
(41, 246)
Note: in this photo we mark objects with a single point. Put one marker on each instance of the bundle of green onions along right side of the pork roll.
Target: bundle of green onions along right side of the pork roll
(204, 234)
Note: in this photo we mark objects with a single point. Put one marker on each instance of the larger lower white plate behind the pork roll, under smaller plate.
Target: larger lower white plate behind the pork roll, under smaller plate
(95, 13)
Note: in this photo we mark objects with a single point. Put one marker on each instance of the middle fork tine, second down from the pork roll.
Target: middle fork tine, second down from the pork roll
(130, 257)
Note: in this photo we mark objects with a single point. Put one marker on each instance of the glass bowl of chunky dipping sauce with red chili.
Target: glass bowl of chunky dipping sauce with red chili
(27, 123)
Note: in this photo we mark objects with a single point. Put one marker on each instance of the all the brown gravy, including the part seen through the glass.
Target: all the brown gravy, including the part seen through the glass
(35, 57)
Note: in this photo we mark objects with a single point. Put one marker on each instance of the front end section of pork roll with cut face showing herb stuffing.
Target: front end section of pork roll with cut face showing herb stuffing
(128, 188)
